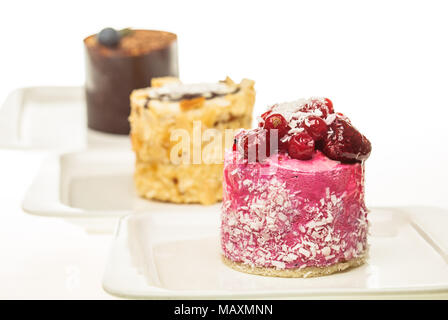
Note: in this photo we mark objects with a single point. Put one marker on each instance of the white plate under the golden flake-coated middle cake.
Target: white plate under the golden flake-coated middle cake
(92, 188)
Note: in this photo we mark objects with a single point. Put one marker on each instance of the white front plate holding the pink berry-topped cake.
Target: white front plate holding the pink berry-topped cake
(174, 255)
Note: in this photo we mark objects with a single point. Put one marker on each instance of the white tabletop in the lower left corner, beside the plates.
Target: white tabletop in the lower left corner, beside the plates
(43, 258)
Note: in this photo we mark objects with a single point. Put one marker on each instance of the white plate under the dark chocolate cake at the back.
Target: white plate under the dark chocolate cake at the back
(51, 118)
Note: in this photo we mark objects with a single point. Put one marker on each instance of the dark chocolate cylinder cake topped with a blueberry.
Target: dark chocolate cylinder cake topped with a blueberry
(116, 64)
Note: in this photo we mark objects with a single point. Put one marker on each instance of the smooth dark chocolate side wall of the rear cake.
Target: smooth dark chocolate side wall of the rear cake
(111, 77)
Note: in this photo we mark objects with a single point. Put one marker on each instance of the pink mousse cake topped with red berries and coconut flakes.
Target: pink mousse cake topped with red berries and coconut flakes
(293, 203)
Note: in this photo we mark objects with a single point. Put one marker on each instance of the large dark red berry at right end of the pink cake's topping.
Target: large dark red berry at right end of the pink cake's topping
(345, 143)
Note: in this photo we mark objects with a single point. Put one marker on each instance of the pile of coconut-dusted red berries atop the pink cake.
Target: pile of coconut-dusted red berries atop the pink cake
(303, 127)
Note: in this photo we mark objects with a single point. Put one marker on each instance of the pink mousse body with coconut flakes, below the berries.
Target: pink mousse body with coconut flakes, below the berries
(305, 214)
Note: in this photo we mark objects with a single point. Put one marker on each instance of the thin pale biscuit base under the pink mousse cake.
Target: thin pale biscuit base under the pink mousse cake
(307, 272)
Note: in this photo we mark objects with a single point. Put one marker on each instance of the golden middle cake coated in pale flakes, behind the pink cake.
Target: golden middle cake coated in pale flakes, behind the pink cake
(168, 105)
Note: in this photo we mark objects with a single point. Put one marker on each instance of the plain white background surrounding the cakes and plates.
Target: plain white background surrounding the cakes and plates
(383, 63)
